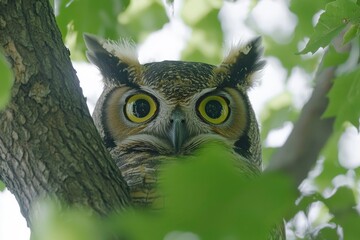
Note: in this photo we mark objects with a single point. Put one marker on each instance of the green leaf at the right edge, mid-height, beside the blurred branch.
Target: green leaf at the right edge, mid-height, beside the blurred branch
(345, 98)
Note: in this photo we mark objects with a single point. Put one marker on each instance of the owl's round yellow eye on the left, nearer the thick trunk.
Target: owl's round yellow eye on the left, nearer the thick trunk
(140, 108)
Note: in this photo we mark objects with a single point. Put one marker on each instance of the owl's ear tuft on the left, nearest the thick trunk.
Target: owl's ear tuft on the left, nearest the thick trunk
(118, 62)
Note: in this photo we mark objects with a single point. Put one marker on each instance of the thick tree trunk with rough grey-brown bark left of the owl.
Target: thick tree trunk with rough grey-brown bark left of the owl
(49, 146)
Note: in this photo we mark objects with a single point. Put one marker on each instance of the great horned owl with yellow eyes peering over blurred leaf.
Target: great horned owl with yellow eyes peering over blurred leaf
(149, 113)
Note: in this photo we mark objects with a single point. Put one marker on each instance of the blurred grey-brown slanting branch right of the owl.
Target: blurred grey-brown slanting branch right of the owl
(311, 132)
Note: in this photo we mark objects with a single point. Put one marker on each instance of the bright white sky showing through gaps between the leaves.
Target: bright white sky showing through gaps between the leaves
(167, 44)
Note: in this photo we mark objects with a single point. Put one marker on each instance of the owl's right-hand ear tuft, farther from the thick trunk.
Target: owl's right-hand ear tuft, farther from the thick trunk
(242, 63)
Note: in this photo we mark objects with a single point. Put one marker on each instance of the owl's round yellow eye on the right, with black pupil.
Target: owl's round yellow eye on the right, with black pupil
(214, 109)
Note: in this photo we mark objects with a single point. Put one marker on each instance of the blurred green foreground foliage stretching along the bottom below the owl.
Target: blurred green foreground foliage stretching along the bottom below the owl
(206, 198)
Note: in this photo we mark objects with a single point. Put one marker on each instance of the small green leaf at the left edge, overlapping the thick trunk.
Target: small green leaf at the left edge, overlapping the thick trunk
(6, 79)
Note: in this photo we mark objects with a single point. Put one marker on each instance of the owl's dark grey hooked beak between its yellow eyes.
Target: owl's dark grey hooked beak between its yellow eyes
(178, 131)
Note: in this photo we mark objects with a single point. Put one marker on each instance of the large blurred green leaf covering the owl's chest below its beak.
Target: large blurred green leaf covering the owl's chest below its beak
(207, 197)
